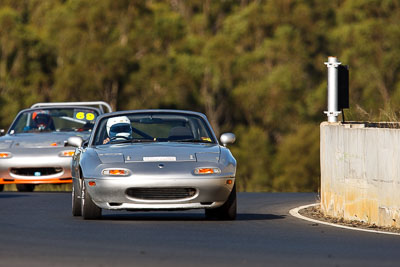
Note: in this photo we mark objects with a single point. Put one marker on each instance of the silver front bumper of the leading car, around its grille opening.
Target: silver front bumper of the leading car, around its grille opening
(111, 193)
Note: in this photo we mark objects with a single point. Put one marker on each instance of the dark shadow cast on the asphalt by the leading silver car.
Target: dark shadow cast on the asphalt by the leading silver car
(184, 217)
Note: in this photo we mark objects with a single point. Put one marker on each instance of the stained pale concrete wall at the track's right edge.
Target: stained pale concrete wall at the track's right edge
(360, 173)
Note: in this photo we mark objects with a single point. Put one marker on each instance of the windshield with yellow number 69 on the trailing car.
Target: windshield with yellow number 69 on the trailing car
(54, 119)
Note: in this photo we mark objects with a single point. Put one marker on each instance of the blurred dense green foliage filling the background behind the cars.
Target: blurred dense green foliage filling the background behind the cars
(254, 67)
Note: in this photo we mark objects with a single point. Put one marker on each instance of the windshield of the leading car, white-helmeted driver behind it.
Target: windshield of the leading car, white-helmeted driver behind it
(153, 127)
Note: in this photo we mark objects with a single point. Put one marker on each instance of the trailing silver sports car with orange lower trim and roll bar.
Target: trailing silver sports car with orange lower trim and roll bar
(33, 150)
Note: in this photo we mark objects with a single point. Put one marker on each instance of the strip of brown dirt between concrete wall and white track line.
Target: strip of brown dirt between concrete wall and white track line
(316, 214)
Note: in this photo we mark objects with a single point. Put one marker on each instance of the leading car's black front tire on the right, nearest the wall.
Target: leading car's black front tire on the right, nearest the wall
(226, 211)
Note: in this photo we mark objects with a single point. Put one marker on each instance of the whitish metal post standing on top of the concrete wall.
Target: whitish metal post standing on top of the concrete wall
(333, 111)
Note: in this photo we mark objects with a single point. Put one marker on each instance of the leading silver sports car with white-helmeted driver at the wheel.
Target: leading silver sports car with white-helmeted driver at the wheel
(153, 160)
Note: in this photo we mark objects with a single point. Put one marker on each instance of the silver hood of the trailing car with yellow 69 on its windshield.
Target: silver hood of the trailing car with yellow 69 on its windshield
(37, 140)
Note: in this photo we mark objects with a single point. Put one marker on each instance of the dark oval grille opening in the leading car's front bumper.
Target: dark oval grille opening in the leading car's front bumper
(164, 193)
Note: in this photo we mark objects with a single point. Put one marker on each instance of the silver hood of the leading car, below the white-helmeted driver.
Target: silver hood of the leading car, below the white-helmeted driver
(159, 152)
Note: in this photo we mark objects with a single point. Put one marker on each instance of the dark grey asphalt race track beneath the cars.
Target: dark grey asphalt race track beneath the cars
(37, 229)
